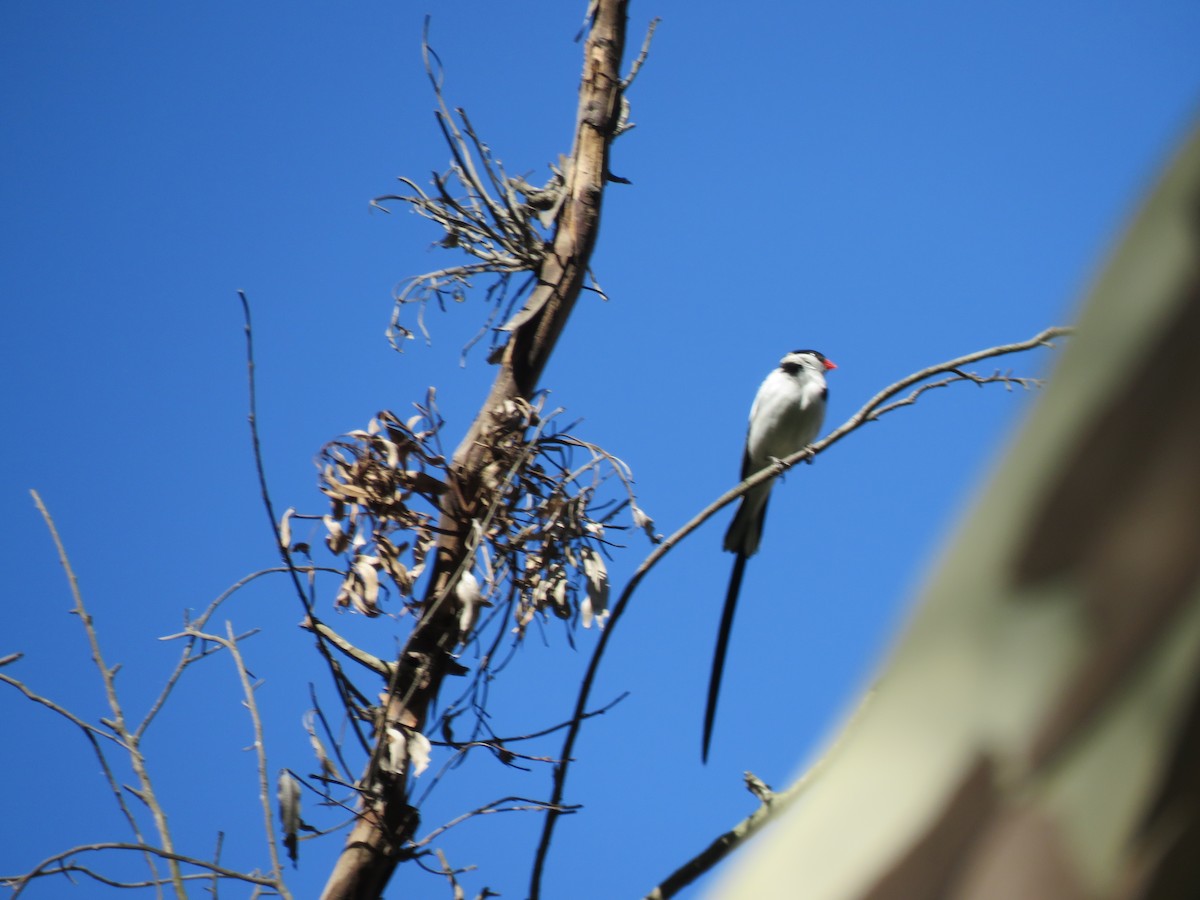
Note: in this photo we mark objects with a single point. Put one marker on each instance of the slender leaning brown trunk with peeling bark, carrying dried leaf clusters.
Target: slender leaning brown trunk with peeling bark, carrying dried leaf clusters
(376, 844)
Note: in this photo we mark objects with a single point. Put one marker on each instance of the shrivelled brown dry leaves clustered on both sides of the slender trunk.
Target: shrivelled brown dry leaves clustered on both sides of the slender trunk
(538, 545)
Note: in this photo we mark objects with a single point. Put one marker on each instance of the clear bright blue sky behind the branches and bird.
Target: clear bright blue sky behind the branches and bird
(891, 184)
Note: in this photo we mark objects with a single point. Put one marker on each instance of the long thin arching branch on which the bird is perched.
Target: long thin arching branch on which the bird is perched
(869, 412)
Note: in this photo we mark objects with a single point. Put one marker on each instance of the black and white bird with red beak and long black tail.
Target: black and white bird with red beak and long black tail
(787, 416)
